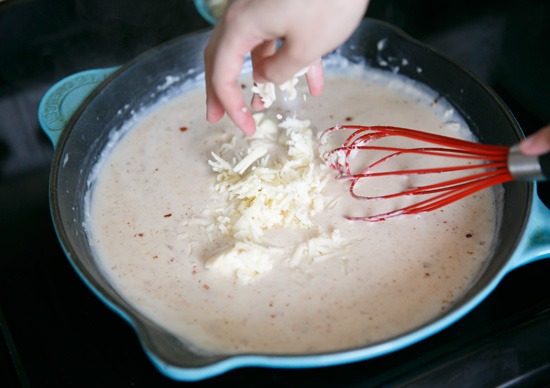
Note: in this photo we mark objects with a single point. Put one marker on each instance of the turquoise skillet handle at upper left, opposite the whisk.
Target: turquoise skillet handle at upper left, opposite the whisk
(62, 100)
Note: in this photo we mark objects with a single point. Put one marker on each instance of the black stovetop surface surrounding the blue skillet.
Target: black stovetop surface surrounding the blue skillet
(56, 333)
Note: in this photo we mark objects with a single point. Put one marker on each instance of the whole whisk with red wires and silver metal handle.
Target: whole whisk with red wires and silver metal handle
(498, 164)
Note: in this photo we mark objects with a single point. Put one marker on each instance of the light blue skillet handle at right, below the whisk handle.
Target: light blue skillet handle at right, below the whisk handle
(535, 243)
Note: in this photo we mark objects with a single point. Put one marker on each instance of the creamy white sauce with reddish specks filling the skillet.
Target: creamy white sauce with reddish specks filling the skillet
(154, 200)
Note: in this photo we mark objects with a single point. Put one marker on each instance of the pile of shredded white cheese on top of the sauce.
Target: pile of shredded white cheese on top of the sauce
(265, 193)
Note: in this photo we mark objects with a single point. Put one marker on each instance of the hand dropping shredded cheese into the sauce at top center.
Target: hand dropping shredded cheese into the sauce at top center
(308, 30)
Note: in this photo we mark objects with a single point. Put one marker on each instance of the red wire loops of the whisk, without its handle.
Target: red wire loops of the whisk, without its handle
(492, 159)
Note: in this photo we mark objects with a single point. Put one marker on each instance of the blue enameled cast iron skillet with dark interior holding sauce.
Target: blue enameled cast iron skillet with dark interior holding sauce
(78, 115)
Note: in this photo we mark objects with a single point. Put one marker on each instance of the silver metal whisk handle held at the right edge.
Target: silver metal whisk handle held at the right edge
(527, 167)
